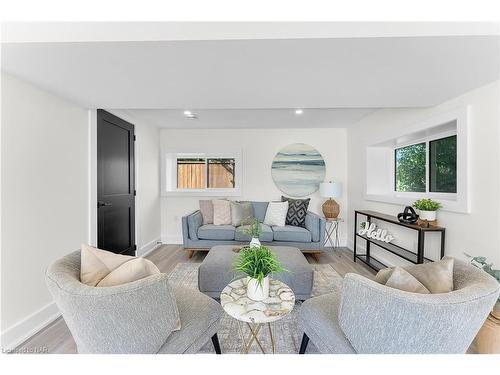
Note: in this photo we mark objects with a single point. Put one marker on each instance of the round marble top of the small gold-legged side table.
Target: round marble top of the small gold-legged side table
(235, 302)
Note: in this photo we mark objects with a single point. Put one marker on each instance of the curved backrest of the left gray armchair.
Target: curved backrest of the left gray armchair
(136, 317)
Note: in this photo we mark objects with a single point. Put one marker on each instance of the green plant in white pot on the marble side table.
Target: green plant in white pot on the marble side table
(257, 263)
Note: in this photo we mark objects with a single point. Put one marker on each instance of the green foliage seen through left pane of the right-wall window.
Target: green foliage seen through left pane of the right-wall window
(410, 168)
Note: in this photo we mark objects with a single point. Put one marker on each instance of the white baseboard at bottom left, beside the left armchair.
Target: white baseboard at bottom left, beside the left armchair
(23, 330)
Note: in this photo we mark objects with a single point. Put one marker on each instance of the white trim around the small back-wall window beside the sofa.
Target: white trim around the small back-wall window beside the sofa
(169, 174)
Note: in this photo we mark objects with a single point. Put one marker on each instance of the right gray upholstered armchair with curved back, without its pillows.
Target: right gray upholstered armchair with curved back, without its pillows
(372, 318)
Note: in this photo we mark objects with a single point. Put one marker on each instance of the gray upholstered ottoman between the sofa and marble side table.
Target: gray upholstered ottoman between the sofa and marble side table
(216, 271)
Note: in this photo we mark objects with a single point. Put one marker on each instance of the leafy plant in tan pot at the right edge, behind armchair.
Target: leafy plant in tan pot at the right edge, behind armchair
(488, 338)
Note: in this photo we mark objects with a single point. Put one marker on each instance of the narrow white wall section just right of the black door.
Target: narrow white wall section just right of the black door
(147, 158)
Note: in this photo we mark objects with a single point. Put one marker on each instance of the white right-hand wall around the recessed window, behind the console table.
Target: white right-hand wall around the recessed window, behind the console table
(476, 233)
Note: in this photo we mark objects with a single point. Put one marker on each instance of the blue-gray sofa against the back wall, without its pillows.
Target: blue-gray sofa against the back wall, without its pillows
(198, 236)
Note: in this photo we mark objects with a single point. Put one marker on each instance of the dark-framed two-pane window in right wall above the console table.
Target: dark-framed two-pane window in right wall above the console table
(429, 166)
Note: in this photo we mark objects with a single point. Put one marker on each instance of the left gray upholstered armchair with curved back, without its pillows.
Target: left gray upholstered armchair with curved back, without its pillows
(133, 317)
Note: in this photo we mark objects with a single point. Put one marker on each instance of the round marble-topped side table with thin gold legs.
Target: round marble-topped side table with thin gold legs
(256, 314)
